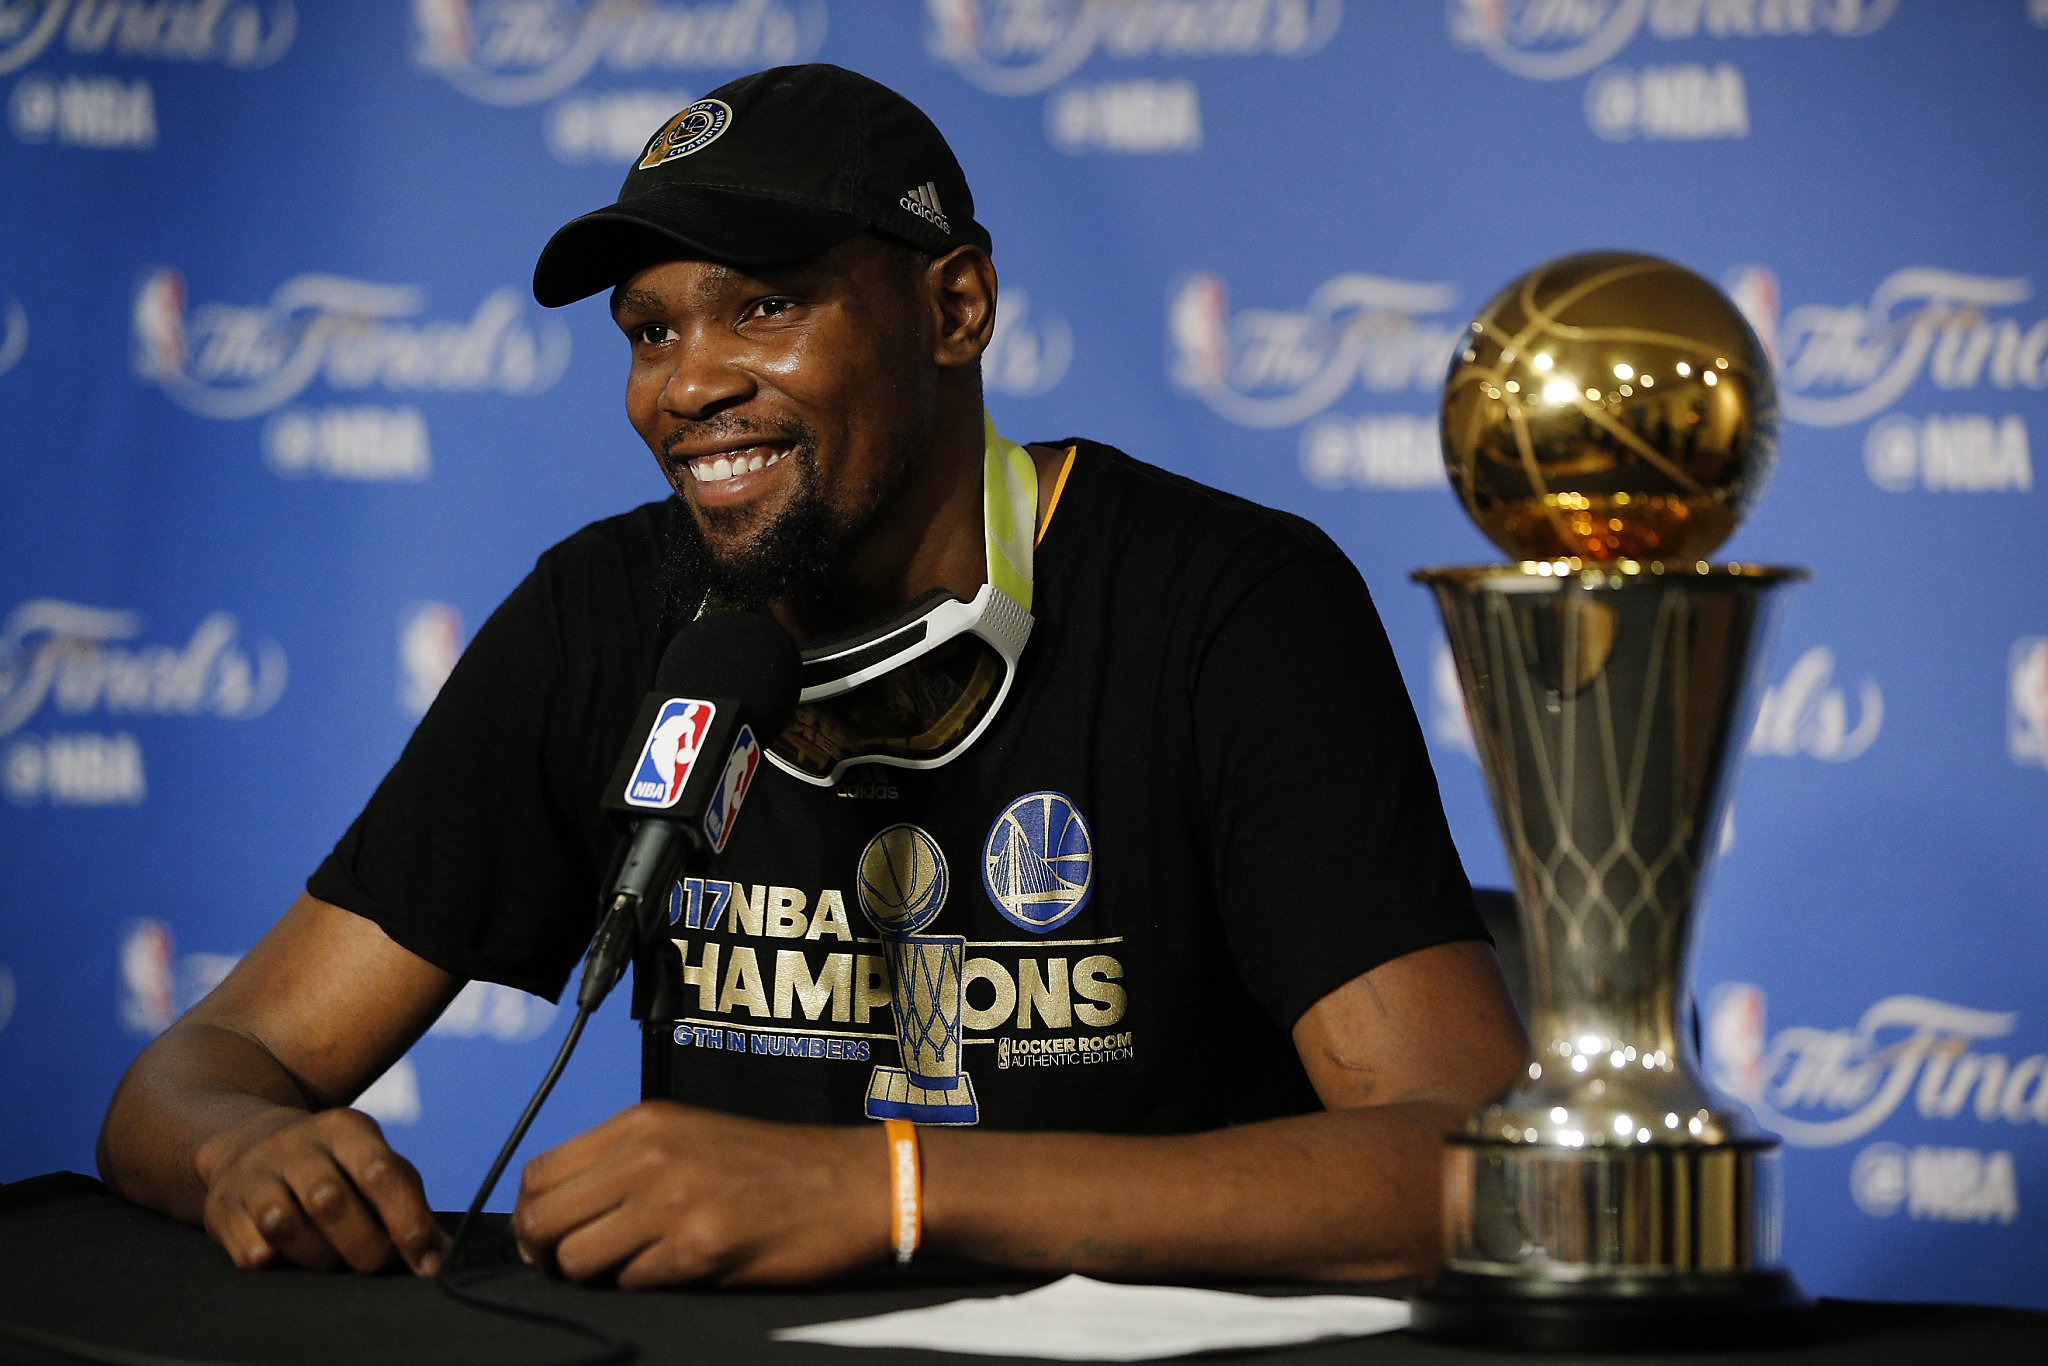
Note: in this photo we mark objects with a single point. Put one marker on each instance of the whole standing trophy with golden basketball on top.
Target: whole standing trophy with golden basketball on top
(1607, 423)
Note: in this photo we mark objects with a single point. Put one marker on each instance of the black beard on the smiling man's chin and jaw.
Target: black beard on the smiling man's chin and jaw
(794, 558)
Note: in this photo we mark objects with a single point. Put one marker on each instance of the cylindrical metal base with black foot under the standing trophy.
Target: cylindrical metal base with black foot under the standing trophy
(1656, 1246)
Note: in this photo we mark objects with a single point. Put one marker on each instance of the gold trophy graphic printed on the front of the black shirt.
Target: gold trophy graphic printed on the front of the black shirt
(902, 890)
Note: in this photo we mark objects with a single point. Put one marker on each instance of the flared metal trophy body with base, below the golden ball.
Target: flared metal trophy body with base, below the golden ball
(1611, 1197)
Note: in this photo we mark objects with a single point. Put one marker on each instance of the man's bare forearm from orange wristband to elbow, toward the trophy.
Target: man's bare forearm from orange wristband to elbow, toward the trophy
(1349, 1195)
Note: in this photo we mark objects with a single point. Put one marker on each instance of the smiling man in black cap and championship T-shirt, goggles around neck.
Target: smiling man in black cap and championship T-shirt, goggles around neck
(1148, 923)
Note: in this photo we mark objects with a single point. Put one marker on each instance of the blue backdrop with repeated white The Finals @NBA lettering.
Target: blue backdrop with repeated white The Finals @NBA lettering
(282, 425)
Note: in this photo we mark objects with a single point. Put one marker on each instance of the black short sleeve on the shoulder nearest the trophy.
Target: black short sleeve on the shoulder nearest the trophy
(1330, 839)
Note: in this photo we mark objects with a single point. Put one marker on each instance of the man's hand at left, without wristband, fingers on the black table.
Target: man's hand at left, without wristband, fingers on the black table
(318, 1191)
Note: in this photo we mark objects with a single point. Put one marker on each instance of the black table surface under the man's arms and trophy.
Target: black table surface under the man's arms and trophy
(81, 1263)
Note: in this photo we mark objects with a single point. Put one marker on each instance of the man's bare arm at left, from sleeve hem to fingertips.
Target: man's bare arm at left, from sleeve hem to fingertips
(232, 1115)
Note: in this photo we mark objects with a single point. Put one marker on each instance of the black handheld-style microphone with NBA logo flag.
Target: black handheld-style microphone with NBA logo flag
(726, 689)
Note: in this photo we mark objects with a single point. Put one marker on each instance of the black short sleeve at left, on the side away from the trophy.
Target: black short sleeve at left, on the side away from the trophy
(480, 849)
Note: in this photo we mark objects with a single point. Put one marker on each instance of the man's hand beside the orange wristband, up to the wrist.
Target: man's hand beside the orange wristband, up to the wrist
(665, 1193)
